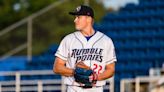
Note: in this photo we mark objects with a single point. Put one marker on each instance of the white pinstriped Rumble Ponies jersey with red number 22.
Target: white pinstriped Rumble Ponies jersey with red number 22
(97, 52)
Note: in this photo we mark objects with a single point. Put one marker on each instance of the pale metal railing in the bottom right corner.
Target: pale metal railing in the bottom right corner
(154, 76)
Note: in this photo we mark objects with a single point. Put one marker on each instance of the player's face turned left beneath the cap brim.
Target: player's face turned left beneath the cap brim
(80, 22)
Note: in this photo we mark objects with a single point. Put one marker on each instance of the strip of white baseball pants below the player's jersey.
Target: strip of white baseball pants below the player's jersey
(80, 89)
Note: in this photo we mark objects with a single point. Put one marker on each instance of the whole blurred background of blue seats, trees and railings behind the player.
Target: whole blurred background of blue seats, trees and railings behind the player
(31, 30)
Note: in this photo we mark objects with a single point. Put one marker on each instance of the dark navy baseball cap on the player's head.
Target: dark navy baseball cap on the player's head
(83, 10)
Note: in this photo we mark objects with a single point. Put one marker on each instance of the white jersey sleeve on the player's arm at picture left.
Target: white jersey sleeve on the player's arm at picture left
(62, 51)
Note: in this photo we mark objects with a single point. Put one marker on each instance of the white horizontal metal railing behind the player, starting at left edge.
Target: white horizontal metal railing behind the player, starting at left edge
(38, 85)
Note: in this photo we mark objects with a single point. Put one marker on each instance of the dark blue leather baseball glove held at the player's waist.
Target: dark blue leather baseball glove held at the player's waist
(83, 74)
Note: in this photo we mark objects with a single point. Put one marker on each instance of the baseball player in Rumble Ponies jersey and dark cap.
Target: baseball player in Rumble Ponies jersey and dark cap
(86, 57)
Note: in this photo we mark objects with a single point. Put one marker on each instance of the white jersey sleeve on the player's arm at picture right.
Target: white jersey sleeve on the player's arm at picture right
(111, 55)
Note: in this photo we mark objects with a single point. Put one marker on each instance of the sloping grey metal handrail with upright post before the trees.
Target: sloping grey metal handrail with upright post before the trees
(29, 21)
